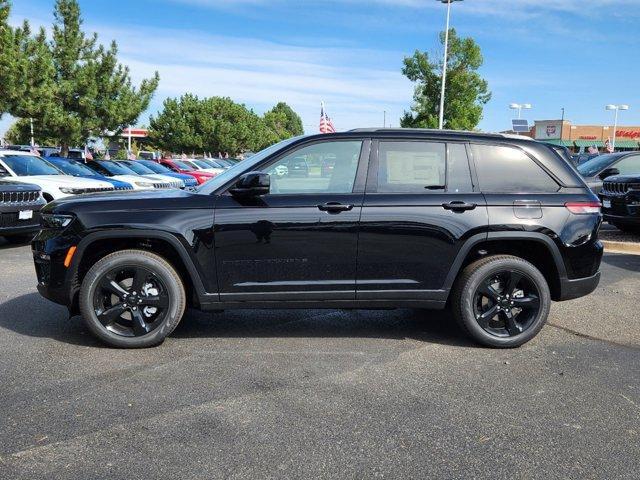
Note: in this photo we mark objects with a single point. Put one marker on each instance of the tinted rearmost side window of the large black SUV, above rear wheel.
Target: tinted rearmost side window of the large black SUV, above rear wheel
(509, 170)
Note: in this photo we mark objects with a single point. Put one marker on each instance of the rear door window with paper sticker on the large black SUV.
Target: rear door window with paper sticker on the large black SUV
(410, 167)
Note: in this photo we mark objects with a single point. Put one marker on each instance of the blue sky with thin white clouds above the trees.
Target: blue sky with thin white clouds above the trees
(576, 54)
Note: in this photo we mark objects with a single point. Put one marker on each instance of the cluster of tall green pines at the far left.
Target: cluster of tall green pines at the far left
(72, 86)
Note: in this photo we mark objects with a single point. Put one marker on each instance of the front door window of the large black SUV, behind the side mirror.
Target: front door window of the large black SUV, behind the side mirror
(301, 171)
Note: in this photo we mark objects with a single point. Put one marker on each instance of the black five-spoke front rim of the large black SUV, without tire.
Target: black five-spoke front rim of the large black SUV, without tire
(130, 301)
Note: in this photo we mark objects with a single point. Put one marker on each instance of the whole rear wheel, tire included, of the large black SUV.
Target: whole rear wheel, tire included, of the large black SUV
(501, 301)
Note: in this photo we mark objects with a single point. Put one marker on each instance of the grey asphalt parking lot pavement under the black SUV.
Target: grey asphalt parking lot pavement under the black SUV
(331, 394)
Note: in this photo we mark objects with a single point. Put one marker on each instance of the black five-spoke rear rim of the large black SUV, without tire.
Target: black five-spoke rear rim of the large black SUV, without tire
(506, 303)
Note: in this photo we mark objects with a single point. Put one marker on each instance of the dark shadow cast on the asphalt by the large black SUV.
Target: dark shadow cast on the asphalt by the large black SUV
(33, 316)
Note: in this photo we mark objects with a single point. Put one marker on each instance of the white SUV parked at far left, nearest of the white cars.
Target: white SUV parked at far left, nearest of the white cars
(27, 167)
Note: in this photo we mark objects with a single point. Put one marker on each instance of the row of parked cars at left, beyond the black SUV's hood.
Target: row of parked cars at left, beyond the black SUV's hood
(29, 181)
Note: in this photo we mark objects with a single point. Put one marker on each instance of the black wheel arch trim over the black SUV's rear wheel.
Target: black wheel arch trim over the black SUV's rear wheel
(537, 248)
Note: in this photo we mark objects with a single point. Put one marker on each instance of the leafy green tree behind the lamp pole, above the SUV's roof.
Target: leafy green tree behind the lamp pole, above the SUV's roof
(466, 91)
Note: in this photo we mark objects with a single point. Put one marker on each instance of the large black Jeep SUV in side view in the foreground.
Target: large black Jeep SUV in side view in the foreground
(494, 227)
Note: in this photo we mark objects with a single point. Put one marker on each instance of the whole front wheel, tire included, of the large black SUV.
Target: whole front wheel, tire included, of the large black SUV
(132, 299)
